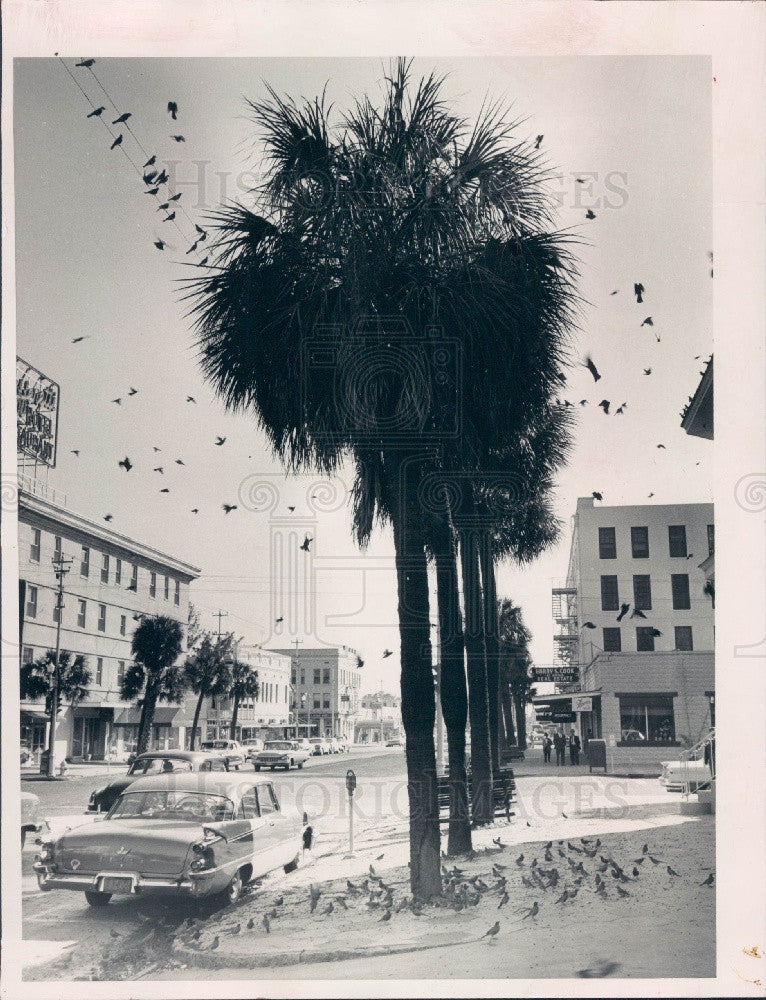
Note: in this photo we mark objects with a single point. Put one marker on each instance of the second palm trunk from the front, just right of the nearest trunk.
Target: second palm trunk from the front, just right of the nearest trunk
(453, 689)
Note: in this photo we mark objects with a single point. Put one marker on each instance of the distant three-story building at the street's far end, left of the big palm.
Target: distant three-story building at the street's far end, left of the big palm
(326, 684)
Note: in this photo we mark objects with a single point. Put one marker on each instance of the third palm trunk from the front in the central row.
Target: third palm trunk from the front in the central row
(478, 702)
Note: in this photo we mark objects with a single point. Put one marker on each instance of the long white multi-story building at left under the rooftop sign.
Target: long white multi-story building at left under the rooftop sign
(111, 581)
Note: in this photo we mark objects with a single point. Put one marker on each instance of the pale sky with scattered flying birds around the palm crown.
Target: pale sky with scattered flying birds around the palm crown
(636, 129)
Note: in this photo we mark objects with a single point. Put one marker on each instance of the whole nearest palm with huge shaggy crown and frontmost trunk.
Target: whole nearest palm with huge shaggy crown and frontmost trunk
(398, 273)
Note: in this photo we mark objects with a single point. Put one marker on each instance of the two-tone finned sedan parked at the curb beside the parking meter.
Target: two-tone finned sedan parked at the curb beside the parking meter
(191, 834)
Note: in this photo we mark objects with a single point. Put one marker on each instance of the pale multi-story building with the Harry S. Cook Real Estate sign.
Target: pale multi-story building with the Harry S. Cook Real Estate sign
(635, 631)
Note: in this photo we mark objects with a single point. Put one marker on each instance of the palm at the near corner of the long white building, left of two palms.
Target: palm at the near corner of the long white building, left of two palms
(153, 676)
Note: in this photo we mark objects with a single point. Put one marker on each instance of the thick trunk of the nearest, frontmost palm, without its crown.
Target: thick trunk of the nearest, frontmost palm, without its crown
(417, 682)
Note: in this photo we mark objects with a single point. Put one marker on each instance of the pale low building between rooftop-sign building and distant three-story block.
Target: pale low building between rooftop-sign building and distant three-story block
(267, 715)
